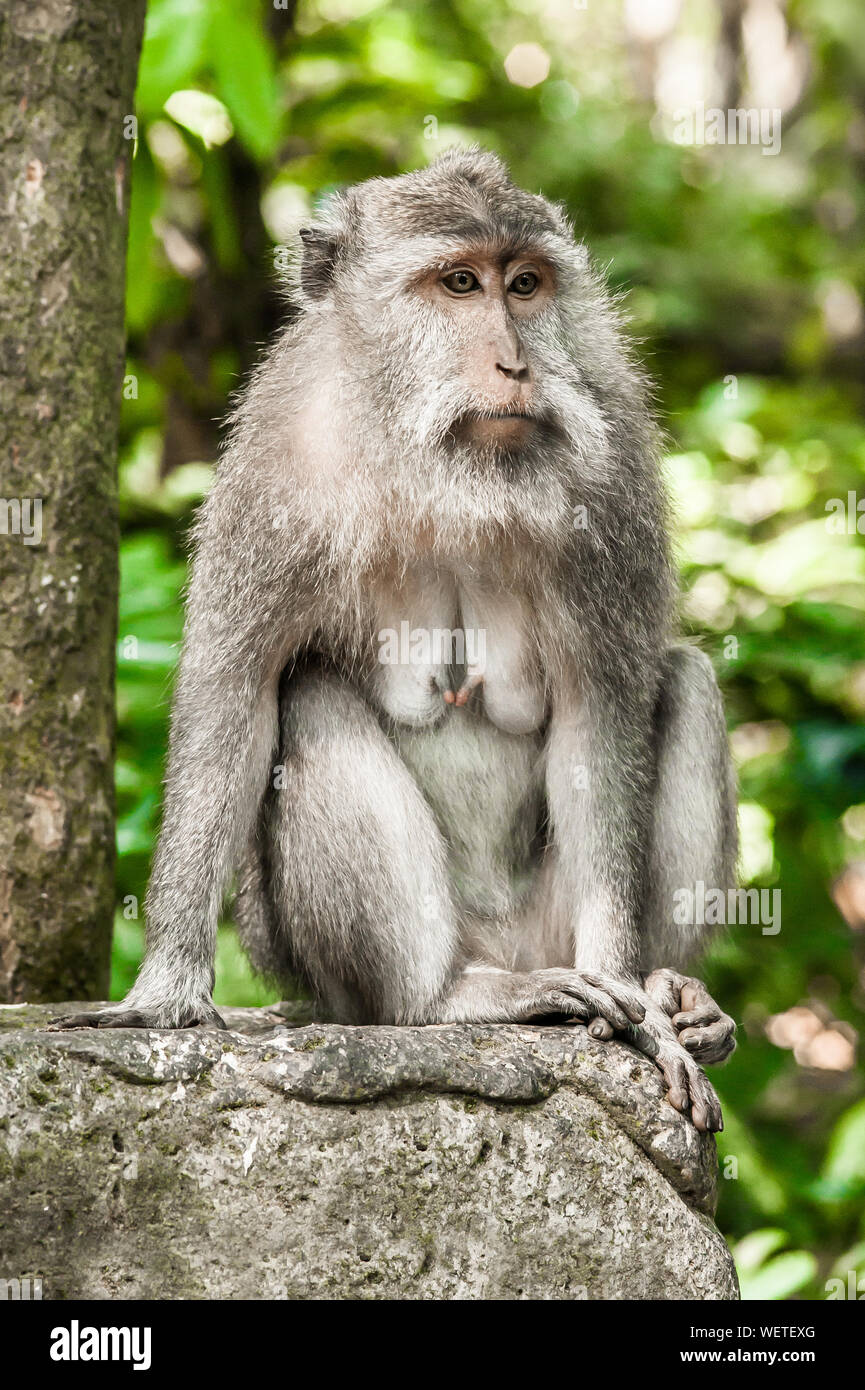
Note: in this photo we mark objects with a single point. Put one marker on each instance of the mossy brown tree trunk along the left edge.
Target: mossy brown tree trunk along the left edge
(67, 85)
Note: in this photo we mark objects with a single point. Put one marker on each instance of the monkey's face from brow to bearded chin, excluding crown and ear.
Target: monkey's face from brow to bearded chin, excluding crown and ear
(468, 344)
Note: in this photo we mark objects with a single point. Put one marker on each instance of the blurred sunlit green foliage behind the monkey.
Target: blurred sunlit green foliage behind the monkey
(741, 272)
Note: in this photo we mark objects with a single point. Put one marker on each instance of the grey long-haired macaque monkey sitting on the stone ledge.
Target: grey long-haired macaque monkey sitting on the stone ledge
(433, 714)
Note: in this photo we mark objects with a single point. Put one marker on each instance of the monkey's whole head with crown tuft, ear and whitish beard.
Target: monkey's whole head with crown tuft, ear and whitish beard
(464, 322)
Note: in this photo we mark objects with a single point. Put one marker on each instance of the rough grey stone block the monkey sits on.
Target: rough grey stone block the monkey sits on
(293, 1160)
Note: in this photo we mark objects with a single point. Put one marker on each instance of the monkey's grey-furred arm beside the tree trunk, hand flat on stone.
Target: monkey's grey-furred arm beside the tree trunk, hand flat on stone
(223, 737)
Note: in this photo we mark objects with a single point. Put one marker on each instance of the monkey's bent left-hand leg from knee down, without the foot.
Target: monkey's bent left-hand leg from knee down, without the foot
(359, 872)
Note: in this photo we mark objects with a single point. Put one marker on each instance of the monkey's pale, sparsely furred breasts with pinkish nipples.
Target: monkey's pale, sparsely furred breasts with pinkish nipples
(448, 646)
